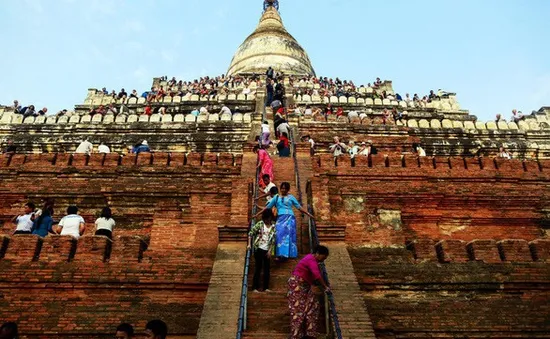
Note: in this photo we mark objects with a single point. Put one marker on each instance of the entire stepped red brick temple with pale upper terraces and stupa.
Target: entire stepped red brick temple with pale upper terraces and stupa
(451, 245)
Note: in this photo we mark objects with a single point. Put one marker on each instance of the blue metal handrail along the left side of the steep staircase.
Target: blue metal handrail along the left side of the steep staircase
(241, 323)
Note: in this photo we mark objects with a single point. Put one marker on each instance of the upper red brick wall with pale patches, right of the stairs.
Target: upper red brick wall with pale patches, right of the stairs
(387, 200)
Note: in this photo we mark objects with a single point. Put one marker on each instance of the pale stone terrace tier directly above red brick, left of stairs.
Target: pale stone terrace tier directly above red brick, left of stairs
(65, 136)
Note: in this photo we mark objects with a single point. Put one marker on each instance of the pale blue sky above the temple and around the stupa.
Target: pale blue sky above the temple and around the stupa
(494, 54)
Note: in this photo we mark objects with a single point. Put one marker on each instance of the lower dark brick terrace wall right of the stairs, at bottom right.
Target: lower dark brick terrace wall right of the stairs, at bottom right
(473, 299)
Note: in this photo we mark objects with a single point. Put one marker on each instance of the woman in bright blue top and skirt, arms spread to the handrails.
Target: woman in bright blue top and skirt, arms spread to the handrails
(285, 228)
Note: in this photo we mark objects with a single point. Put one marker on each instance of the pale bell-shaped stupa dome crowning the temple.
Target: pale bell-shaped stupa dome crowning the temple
(271, 45)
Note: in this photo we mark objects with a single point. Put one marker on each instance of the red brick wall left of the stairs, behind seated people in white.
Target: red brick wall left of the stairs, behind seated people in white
(167, 208)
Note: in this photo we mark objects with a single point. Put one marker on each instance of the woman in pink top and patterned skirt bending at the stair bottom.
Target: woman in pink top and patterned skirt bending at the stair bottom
(303, 303)
